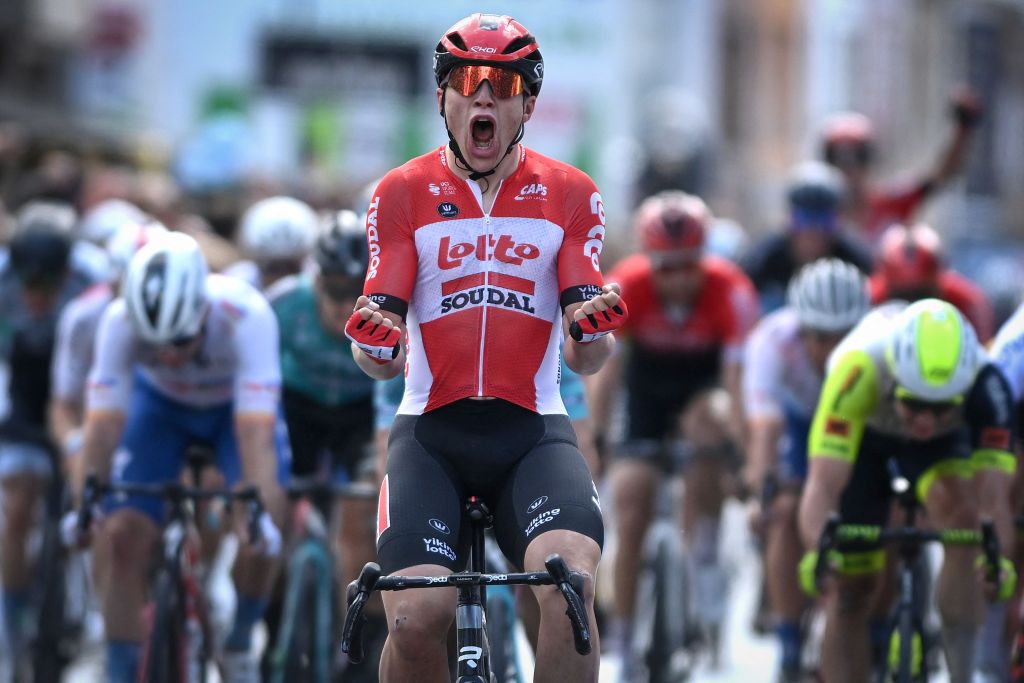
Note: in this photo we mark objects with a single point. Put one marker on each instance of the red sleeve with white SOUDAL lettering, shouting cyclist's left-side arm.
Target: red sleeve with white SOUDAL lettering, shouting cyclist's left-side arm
(394, 260)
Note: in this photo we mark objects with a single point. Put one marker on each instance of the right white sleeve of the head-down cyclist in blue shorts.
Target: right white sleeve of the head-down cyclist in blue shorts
(258, 382)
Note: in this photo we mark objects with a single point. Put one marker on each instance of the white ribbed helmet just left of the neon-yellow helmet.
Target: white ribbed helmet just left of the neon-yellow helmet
(829, 295)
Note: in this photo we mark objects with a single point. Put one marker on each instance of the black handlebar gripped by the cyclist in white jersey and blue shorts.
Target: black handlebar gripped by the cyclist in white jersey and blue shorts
(177, 494)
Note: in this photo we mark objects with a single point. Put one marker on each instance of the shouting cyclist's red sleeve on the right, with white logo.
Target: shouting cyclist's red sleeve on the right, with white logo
(580, 255)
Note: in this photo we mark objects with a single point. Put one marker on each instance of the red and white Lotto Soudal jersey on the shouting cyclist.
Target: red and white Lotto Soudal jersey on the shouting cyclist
(486, 290)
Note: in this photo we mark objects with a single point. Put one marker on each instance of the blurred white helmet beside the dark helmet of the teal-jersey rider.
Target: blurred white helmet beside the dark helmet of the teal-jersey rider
(279, 228)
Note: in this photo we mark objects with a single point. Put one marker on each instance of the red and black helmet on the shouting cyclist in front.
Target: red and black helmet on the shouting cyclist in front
(492, 40)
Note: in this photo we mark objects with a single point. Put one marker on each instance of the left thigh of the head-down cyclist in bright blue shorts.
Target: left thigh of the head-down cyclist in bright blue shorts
(157, 433)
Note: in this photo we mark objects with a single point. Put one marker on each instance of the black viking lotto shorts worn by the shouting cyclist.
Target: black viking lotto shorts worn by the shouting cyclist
(526, 467)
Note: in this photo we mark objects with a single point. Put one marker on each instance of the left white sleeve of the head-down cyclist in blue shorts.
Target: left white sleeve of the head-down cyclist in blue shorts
(109, 389)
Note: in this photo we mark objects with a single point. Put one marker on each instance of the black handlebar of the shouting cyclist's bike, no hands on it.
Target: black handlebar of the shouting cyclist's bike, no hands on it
(570, 584)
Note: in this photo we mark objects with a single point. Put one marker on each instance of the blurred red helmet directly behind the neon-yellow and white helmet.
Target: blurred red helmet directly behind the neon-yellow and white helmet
(911, 259)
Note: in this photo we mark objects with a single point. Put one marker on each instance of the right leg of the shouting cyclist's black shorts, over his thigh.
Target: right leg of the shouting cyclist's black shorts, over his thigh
(549, 489)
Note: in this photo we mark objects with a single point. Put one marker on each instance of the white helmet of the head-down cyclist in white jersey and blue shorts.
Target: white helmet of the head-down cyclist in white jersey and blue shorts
(165, 289)
